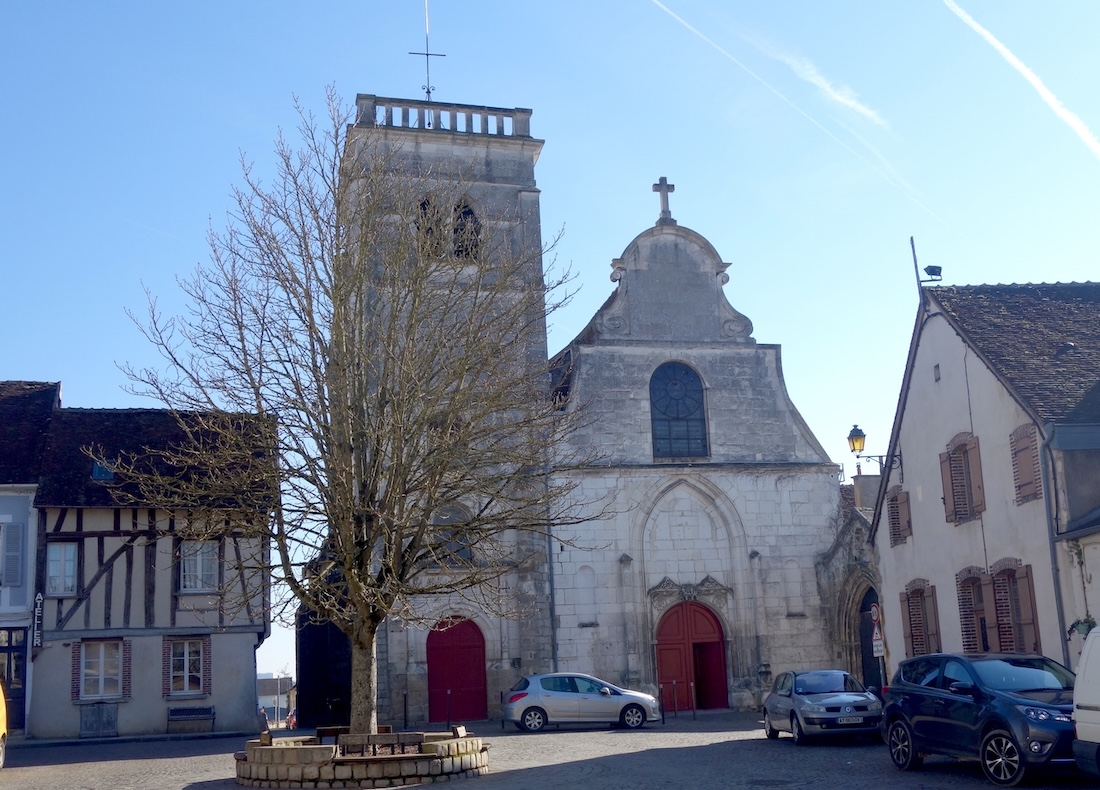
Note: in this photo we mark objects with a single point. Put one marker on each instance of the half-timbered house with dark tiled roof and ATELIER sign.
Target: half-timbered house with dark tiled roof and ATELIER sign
(139, 622)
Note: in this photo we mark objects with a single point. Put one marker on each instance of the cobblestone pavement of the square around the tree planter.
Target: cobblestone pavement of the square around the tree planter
(718, 751)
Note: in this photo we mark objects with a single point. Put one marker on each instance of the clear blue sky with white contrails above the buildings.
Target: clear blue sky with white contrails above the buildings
(807, 141)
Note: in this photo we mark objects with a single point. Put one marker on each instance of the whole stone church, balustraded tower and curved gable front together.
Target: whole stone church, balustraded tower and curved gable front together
(712, 506)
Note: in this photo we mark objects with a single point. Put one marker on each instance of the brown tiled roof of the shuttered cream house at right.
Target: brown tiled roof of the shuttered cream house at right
(1044, 341)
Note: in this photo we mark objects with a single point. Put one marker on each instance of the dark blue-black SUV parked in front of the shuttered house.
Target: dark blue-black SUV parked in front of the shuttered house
(1011, 712)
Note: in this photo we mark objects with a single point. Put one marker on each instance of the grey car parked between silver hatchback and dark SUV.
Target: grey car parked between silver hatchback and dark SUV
(820, 703)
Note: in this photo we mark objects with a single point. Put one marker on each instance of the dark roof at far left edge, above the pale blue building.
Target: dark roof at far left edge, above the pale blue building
(26, 409)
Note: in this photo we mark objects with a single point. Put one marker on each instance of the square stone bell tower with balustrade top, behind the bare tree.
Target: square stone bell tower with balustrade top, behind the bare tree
(488, 155)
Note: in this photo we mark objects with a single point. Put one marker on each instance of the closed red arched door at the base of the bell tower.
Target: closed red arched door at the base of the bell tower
(457, 688)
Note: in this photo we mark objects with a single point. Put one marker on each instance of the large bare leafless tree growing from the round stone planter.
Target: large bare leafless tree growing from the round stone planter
(395, 355)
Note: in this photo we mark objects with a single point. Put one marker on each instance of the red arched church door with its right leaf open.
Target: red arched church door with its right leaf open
(691, 654)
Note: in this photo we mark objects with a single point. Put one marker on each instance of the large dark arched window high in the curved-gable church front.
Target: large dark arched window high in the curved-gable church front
(678, 412)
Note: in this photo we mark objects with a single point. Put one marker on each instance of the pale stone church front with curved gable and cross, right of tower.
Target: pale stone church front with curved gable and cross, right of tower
(702, 578)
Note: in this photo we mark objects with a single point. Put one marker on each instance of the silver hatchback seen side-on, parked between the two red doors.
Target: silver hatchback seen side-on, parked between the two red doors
(571, 698)
